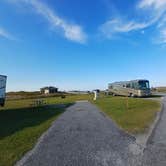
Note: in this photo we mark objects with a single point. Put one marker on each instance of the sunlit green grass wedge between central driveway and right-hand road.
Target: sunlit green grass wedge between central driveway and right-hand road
(134, 117)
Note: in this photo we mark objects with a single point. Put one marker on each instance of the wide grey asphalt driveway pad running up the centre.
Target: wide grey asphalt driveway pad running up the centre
(83, 136)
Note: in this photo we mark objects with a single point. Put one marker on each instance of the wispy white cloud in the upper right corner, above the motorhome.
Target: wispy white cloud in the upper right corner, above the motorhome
(154, 15)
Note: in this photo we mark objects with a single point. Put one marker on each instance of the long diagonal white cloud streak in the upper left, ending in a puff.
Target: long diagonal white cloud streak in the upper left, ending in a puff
(71, 31)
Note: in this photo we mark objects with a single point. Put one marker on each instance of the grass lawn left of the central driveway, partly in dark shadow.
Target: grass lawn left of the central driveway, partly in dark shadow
(21, 125)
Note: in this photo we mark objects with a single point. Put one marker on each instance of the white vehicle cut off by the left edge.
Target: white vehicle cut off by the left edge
(2, 89)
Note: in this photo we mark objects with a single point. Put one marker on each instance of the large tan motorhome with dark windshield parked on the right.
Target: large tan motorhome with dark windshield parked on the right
(134, 88)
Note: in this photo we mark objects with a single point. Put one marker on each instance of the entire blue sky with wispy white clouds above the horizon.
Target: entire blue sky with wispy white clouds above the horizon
(81, 44)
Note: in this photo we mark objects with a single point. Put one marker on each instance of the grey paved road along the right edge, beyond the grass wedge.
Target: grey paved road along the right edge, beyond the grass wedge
(155, 153)
